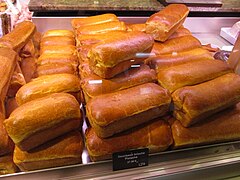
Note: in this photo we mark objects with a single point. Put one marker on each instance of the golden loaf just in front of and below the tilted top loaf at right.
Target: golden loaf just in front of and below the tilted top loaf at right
(179, 44)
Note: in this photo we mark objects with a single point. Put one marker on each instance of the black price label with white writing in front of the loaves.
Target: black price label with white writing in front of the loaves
(130, 159)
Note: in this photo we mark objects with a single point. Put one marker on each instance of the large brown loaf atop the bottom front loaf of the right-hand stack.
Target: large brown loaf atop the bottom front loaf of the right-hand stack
(195, 103)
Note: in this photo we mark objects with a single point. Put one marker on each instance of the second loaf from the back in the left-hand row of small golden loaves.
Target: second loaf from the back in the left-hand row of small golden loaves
(60, 49)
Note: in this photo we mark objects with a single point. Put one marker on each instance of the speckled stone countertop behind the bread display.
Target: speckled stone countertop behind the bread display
(122, 5)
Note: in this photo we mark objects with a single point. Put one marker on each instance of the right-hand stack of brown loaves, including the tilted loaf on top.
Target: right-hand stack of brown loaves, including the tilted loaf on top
(199, 85)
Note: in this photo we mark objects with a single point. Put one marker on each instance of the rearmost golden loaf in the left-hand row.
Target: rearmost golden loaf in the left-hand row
(57, 41)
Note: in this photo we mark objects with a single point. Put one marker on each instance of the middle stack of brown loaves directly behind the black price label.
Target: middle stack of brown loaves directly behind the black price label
(123, 102)
